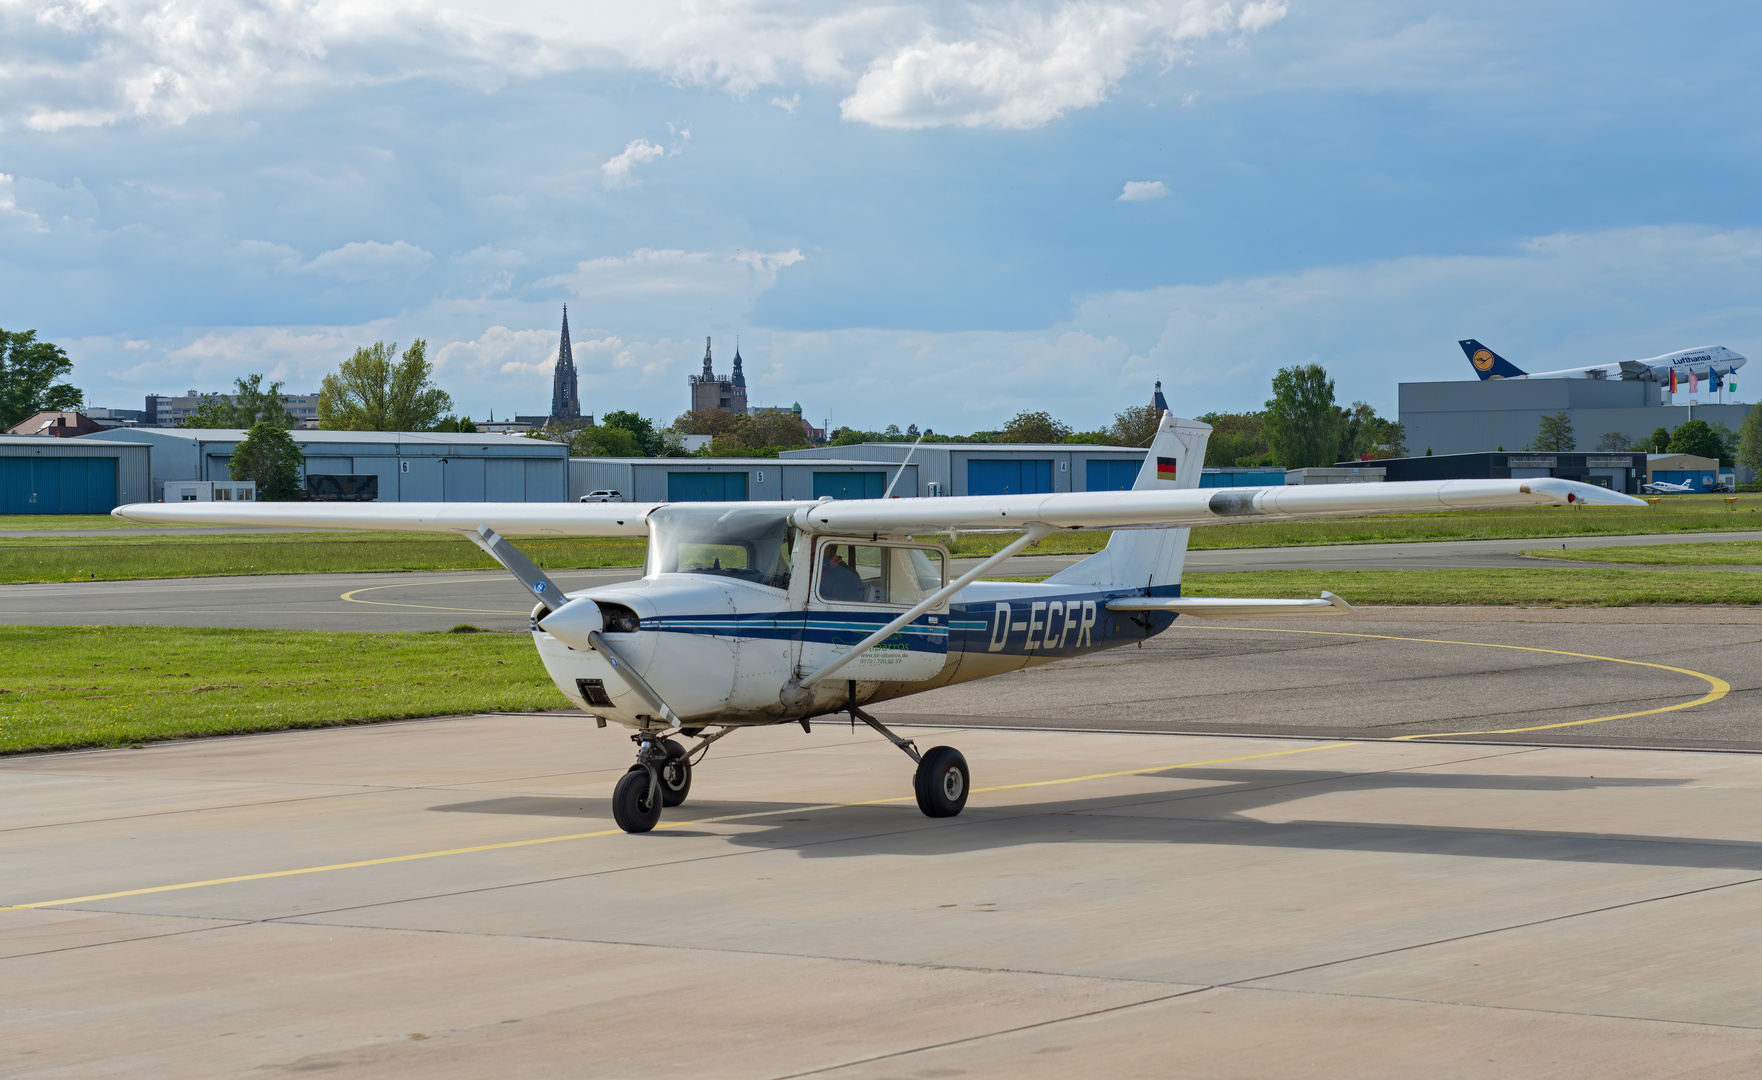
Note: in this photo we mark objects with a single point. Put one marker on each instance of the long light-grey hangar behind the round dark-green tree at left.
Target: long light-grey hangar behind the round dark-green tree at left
(406, 466)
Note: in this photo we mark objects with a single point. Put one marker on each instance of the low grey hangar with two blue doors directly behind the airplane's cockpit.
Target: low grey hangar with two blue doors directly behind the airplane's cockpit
(718, 480)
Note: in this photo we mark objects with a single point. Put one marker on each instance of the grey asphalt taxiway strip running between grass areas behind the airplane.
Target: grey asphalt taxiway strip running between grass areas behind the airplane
(436, 602)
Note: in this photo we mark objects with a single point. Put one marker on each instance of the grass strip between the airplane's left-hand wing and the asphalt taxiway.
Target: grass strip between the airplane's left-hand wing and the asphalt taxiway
(128, 558)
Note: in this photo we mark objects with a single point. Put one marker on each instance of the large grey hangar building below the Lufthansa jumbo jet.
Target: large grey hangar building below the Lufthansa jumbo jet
(1456, 418)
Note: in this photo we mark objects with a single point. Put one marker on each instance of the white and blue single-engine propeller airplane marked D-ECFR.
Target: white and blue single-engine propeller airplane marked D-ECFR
(760, 614)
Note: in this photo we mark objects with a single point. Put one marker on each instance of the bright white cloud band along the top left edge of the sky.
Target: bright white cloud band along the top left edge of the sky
(96, 63)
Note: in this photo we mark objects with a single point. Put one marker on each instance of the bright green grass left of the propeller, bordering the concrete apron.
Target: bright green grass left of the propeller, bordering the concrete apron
(68, 688)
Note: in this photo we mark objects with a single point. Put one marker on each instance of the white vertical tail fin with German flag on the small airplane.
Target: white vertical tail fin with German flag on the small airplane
(1151, 558)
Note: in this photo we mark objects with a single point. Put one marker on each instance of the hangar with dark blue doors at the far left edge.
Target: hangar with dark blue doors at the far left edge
(71, 477)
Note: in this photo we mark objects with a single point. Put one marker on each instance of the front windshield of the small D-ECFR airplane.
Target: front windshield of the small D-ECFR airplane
(751, 545)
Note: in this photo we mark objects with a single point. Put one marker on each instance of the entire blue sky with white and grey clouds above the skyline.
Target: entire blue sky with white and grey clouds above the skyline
(933, 214)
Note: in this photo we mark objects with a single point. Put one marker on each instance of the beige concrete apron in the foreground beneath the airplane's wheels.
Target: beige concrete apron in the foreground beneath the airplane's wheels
(1109, 905)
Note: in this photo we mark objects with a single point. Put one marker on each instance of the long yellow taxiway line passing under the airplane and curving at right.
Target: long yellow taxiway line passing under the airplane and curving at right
(1719, 690)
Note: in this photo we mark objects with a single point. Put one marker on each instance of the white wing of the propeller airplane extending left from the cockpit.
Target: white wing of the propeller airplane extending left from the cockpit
(508, 519)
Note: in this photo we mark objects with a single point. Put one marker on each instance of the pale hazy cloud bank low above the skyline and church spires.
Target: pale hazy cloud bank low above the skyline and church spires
(1551, 302)
